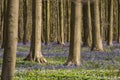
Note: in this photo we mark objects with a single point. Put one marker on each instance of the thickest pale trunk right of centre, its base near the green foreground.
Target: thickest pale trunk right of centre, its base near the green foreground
(75, 38)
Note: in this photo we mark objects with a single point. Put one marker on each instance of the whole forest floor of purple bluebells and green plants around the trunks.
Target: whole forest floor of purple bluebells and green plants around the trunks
(94, 65)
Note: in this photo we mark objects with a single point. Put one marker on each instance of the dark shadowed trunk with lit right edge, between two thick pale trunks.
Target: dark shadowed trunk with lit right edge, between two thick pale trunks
(87, 24)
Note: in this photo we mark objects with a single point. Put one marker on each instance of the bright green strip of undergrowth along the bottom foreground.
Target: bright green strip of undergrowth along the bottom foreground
(64, 74)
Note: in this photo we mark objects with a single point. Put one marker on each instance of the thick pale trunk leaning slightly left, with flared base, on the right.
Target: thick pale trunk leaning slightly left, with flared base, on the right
(96, 38)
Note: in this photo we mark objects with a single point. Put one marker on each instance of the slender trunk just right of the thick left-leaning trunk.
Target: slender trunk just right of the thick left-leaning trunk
(110, 26)
